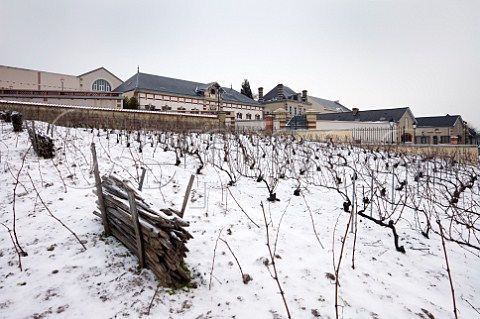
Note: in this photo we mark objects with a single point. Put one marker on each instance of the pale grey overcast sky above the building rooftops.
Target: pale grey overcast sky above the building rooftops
(367, 54)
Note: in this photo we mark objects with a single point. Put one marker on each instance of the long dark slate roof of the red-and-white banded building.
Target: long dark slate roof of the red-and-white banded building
(162, 84)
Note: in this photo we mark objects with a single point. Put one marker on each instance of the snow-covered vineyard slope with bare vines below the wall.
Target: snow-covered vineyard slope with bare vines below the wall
(281, 228)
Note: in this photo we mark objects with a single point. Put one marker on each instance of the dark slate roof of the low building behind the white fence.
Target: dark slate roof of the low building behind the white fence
(366, 116)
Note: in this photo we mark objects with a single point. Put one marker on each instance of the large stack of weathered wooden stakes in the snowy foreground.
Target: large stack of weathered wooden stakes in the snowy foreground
(157, 238)
